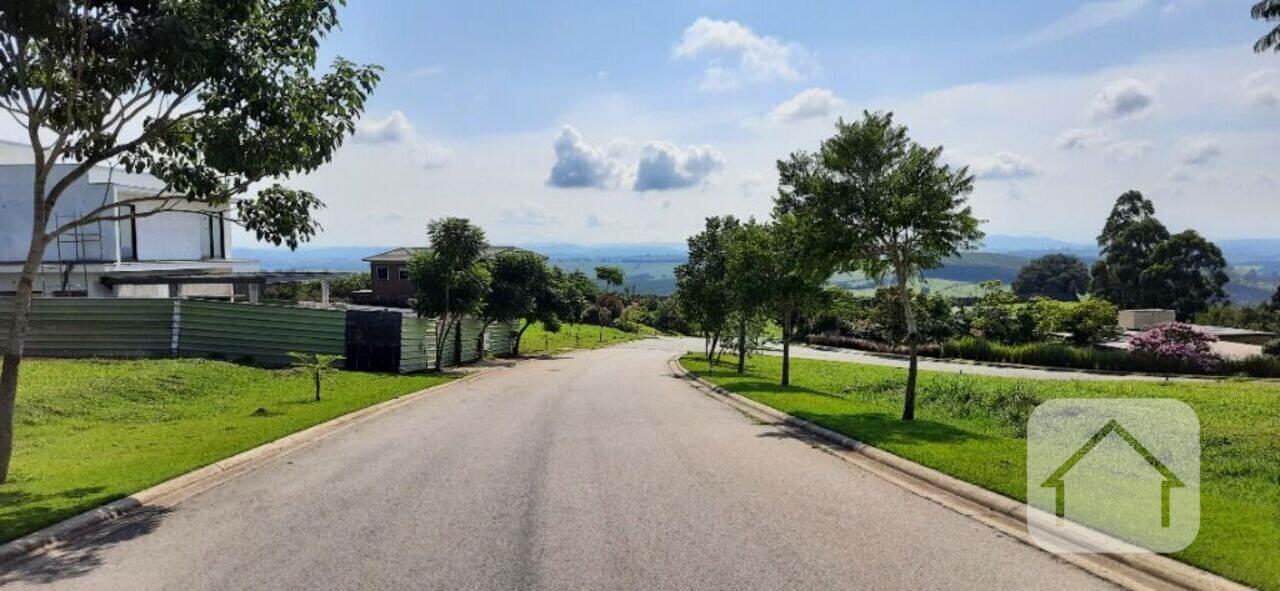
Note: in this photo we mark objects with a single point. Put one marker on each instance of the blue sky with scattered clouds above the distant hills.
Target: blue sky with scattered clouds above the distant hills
(602, 122)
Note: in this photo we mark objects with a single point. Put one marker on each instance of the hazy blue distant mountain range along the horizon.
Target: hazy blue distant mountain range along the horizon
(650, 267)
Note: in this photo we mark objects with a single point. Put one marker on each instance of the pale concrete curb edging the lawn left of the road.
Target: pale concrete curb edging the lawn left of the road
(170, 493)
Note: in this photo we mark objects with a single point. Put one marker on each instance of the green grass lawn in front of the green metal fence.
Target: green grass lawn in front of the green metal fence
(93, 432)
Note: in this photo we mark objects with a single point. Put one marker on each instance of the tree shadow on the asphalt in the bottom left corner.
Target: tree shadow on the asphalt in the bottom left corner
(84, 553)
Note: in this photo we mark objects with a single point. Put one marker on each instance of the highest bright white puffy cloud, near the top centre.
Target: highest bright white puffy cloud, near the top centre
(737, 54)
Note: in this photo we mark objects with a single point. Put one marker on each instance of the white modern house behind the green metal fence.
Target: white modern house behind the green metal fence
(172, 254)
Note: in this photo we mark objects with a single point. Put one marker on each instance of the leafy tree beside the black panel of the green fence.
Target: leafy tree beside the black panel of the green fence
(450, 278)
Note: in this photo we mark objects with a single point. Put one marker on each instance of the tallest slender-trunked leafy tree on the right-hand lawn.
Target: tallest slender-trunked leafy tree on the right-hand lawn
(884, 205)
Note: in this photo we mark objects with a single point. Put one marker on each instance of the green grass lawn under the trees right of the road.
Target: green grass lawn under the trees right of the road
(972, 428)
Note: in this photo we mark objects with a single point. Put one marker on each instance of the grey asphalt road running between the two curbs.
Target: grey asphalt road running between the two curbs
(597, 470)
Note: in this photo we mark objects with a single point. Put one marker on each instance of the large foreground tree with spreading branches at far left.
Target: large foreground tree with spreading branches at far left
(208, 97)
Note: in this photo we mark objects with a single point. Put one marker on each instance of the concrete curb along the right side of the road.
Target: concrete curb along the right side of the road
(1008, 516)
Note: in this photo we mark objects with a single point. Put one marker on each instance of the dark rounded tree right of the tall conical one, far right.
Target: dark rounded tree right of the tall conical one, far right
(1186, 274)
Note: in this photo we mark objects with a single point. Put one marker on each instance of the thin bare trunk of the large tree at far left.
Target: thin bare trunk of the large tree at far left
(17, 341)
